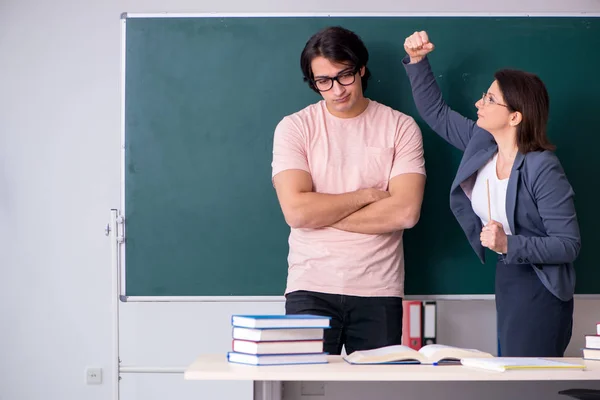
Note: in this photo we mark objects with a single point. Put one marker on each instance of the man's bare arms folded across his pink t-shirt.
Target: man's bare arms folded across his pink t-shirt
(368, 211)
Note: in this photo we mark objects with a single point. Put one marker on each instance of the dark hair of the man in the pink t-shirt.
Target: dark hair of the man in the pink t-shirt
(336, 44)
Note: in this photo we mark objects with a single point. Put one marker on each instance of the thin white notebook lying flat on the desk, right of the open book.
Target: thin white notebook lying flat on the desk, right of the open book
(517, 363)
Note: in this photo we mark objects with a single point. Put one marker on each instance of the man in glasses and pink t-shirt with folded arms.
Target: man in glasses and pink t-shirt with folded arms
(349, 175)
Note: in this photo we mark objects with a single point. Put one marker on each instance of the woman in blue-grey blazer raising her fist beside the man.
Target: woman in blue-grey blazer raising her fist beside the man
(528, 217)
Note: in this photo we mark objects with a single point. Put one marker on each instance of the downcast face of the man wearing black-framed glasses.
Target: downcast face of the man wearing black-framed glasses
(345, 99)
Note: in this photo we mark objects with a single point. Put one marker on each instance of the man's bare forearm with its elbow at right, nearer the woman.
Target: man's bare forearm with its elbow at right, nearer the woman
(383, 216)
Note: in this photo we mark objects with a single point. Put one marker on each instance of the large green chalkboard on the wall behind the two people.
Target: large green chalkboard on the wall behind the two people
(202, 99)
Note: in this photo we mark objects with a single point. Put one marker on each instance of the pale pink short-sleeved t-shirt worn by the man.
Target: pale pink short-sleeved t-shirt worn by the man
(343, 155)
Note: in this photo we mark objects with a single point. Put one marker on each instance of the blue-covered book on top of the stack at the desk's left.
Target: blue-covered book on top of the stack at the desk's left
(280, 321)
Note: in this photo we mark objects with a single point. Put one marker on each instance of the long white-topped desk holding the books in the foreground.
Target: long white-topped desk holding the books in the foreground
(216, 367)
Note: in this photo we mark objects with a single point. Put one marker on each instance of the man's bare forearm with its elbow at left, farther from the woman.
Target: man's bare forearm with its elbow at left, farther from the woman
(318, 210)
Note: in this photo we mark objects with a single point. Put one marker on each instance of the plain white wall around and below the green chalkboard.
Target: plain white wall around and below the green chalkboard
(59, 177)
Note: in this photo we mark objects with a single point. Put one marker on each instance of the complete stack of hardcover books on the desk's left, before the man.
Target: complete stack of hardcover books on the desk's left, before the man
(278, 339)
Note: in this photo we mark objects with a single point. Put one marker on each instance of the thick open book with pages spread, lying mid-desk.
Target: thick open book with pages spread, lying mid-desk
(400, 354)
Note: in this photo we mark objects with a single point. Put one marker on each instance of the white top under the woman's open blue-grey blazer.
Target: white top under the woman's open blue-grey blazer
(497, 195)
